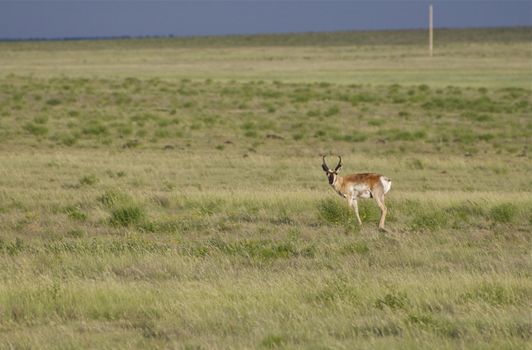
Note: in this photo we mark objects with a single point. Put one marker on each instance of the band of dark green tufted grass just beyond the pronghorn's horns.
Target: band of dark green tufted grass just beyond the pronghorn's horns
(312, 125)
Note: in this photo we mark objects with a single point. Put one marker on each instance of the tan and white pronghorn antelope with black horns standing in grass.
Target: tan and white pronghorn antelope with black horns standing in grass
(355, 186)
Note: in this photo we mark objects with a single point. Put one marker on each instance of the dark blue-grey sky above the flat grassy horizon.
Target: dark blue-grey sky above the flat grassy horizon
(46, 19)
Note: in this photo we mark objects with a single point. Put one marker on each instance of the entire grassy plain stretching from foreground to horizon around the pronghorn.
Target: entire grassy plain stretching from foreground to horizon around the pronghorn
(168, 193)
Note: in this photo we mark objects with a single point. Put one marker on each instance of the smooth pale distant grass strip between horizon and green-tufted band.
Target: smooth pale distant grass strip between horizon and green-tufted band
(466, 58)
